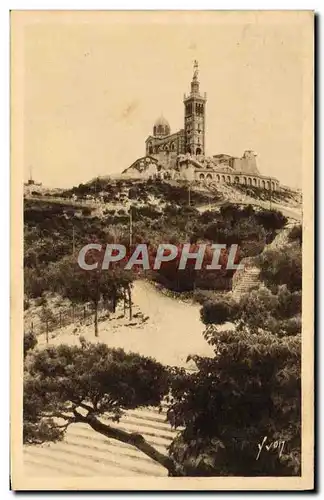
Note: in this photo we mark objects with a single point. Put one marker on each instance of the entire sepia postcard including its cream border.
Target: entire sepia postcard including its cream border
(162, 212)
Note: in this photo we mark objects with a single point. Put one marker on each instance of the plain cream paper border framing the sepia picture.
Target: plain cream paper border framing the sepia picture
(19, 20)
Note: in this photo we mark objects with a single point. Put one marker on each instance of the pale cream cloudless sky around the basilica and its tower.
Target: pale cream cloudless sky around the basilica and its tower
(93, 85)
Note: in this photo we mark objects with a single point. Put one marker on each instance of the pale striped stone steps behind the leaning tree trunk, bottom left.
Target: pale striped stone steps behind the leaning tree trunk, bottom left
(86, 453)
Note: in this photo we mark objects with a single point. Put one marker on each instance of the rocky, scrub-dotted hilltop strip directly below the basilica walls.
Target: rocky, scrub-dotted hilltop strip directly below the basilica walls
(120, 193)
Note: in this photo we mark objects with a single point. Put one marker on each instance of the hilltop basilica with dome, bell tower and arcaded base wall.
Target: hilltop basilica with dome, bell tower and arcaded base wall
(181, 155)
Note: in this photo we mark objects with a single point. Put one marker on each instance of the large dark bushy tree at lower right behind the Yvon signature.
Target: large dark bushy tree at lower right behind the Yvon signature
(250, 389)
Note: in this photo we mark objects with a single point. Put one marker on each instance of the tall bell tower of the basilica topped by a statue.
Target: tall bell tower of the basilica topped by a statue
(194, 118)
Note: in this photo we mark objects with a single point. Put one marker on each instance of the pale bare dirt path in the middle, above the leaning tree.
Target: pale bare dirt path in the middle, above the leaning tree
(172, 331)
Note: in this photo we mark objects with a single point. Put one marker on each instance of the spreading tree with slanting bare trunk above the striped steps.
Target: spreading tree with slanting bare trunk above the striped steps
(66, 385)
